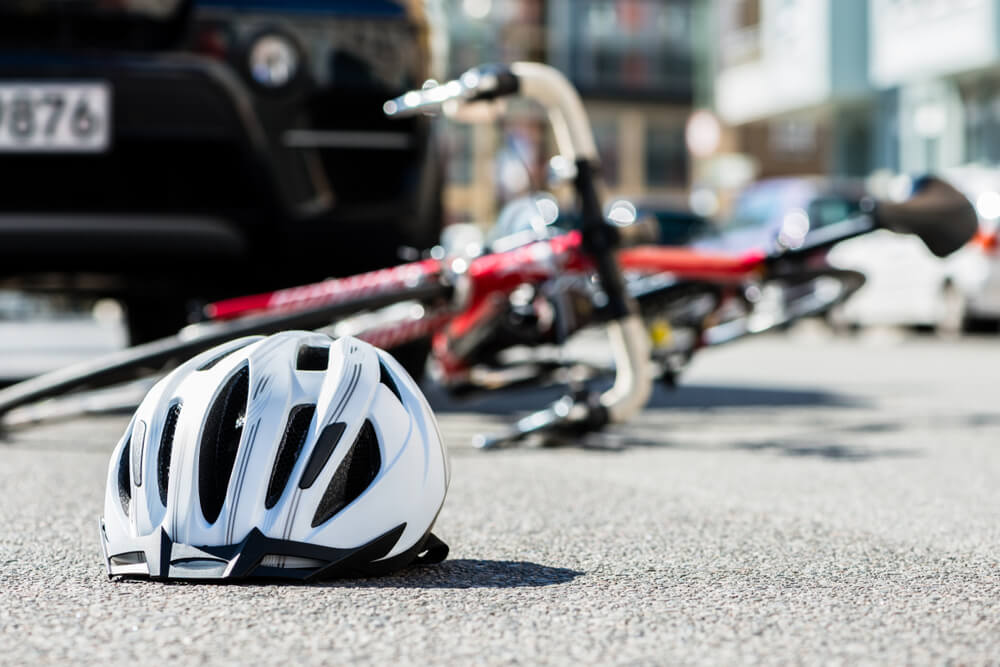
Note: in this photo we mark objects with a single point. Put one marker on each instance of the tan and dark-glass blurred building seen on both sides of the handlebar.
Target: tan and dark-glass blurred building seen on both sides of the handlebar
(630, 59)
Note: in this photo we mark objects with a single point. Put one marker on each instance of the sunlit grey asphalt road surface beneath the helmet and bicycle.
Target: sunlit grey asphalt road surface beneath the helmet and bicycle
(800, 500)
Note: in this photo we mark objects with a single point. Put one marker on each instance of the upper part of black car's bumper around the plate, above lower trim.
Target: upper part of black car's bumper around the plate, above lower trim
(189, 134)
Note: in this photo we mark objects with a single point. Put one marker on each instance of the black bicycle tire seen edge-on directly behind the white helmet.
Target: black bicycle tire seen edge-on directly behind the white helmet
(133, 362)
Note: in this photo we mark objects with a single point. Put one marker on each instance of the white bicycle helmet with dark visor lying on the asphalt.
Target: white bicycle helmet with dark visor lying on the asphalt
(293, 456)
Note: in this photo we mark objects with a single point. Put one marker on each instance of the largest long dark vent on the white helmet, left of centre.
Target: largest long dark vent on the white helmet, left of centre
(220, 441)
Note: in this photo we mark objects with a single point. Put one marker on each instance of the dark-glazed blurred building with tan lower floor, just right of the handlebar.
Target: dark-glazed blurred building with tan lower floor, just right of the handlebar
(632, 62)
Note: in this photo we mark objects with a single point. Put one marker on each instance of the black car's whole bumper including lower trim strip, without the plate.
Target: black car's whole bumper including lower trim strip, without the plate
(194, 170)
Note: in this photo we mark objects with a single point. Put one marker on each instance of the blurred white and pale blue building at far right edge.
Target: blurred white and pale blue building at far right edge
(939, 65)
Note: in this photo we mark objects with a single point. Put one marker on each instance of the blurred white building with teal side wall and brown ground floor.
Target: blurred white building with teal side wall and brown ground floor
(790, 83)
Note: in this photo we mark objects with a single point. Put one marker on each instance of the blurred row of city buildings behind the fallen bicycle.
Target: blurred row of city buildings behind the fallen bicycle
(688, 94)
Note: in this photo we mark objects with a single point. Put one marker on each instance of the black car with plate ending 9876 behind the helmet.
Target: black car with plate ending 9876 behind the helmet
(165, 151)
